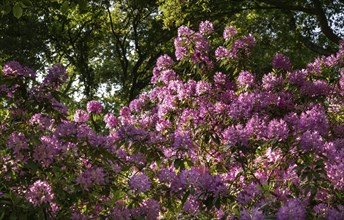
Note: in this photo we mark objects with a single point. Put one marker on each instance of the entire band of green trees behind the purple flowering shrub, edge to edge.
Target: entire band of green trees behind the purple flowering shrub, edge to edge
(110, 46)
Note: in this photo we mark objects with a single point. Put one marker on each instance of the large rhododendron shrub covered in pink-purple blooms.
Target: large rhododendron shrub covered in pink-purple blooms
(220, 142)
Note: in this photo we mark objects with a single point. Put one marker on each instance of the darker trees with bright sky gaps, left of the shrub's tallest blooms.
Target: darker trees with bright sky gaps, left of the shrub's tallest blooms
(106, 44)
